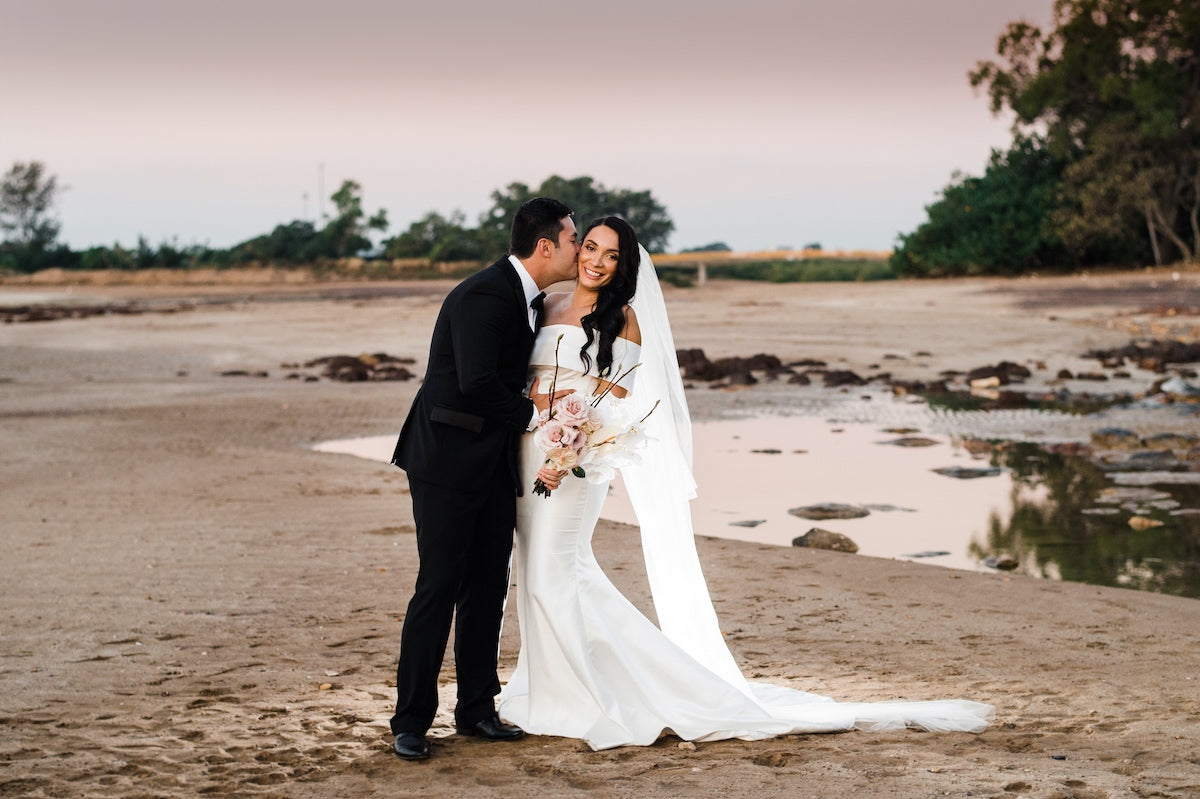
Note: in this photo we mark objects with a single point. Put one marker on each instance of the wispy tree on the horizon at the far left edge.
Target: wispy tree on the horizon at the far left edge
(27, 200)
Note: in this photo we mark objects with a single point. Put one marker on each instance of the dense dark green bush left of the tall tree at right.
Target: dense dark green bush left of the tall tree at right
(999, 224)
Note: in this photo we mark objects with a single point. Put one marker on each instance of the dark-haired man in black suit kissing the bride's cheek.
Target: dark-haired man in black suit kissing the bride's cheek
(459, 447)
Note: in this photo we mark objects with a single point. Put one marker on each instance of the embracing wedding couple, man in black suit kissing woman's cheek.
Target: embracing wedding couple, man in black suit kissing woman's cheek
(515, 380)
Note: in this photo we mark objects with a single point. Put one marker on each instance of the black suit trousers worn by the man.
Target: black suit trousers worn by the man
(465, 542)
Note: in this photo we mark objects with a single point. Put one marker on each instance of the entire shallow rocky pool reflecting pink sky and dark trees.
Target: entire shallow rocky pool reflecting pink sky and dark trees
(1058, 515)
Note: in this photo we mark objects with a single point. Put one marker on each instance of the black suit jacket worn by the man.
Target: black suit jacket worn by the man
(469, 416)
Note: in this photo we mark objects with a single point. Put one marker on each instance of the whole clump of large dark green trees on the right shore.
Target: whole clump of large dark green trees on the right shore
(1106, 163)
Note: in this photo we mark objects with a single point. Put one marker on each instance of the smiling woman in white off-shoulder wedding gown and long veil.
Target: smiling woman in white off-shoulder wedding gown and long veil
(591, 665)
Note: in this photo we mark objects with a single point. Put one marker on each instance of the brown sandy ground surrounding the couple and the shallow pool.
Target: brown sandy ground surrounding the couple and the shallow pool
(196, 603)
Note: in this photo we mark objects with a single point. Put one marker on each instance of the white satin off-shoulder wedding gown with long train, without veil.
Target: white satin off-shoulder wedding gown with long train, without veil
(592, 666)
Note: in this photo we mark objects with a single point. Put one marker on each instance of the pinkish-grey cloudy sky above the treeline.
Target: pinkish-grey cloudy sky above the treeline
(760, 123)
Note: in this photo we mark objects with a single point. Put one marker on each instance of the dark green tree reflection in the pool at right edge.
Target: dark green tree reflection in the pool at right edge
(1065, 526)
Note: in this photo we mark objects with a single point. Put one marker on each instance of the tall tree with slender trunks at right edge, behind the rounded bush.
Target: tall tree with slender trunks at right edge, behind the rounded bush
(1117, 88)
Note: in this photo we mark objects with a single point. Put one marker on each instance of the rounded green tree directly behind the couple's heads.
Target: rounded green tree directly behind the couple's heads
(589, 200)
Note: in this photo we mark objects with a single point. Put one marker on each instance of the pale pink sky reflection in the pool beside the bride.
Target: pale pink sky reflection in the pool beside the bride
(757, 470)
